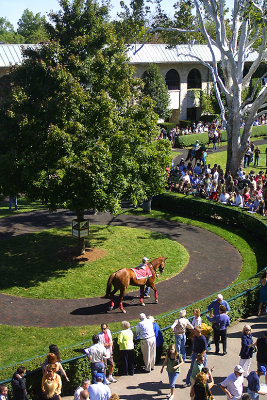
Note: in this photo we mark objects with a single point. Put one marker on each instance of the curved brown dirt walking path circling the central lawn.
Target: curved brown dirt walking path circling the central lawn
(213, 265)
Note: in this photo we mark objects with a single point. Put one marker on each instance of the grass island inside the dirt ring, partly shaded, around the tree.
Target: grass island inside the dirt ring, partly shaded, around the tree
(28, 269)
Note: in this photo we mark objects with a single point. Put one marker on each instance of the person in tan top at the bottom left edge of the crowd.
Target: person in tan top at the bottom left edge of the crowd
(51, 384)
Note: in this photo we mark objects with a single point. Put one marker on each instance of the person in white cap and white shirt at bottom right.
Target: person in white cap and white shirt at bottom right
(233, 384)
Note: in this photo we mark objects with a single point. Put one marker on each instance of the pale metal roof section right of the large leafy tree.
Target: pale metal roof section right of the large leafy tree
(159, 53)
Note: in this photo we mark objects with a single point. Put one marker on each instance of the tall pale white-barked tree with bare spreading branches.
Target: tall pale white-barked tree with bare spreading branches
(248, 32)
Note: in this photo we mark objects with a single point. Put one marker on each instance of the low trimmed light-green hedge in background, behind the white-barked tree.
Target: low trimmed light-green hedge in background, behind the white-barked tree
(189, 140)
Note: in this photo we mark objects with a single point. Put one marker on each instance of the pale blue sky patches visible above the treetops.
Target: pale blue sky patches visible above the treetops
(13, 9)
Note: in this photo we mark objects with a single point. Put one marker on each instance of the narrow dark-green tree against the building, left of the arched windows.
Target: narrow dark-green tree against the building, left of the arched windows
(155, 86)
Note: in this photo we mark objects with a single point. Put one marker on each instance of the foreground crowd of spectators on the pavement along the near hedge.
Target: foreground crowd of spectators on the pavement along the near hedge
(192, 335)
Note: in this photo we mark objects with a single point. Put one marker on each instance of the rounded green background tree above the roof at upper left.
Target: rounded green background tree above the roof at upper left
(32, 27)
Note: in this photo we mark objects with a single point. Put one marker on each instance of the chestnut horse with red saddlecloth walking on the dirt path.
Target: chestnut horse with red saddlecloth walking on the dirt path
(124, 277)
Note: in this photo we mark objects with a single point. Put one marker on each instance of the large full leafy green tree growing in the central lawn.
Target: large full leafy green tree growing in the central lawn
(76, 128)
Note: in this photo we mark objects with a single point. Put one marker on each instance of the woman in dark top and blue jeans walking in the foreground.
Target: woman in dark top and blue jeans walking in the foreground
(173, 360)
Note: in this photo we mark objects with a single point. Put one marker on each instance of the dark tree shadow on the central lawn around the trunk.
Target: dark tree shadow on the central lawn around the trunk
(28, 260)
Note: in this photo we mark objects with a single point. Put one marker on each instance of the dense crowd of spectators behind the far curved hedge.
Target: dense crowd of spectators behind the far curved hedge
(248, 190)
